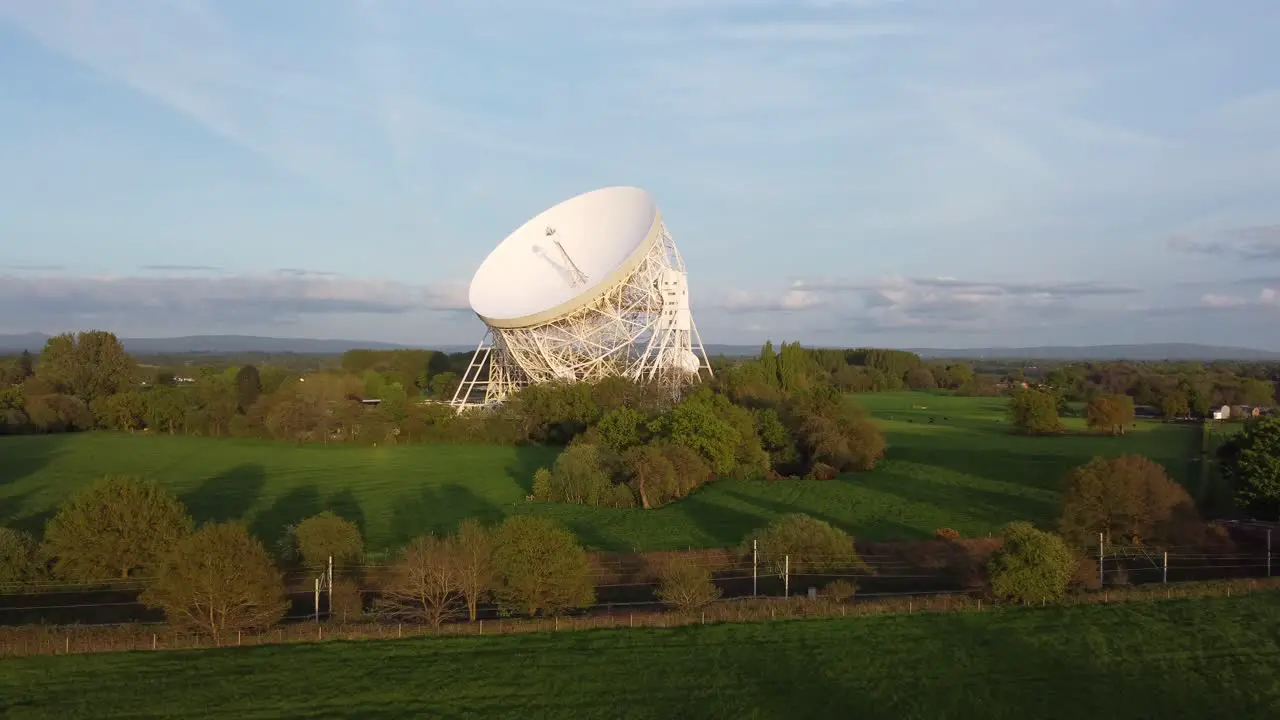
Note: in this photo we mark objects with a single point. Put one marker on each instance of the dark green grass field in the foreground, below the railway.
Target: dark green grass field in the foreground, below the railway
(1174, 659)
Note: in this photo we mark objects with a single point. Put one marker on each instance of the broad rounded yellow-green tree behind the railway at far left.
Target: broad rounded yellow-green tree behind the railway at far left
(115, 527)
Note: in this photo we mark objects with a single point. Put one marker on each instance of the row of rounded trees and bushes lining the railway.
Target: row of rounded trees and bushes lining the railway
(217, 578)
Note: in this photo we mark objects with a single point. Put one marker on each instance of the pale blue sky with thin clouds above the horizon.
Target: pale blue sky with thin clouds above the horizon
(932, 174)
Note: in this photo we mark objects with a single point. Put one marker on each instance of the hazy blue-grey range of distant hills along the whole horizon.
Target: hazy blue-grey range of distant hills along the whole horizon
(230, 344)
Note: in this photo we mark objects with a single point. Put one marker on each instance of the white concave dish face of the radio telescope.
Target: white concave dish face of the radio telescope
(527, 280)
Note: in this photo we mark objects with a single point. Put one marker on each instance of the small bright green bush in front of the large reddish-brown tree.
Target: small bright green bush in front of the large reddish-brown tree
(1031, 566)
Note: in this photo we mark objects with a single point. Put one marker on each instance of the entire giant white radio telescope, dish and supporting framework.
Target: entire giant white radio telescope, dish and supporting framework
(591, 289)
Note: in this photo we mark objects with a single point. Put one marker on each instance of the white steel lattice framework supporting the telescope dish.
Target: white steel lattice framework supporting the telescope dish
(641, 329)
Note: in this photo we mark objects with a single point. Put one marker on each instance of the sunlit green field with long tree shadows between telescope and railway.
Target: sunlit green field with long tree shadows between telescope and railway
(964, 471)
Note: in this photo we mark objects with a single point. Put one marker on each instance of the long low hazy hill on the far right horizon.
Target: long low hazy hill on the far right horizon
(1151, 352)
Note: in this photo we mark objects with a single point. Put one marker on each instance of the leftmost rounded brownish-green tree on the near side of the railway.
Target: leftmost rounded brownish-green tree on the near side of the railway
(218, 580)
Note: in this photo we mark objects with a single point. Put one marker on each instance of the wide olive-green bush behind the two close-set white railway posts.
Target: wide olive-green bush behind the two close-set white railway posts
(811, 545)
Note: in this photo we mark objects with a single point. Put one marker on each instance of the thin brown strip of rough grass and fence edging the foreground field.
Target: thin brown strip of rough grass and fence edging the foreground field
(81, 640)
